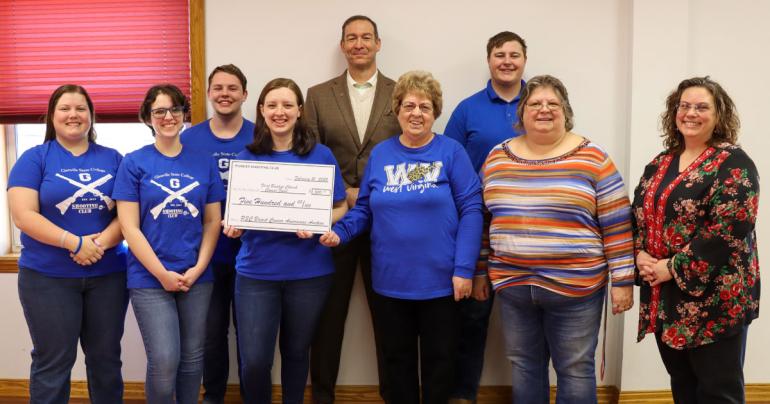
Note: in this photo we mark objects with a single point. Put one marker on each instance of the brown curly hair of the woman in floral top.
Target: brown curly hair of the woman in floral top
(727, 126)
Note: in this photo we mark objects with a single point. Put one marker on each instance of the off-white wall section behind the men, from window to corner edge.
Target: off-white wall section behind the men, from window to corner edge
(300, 40)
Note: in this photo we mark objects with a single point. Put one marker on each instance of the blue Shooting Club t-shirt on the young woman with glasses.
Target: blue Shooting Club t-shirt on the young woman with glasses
(172, 193)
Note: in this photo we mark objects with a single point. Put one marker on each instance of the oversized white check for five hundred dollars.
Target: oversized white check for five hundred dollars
(280, 196)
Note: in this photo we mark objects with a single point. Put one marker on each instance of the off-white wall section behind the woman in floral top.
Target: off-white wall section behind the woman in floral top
(676, 39)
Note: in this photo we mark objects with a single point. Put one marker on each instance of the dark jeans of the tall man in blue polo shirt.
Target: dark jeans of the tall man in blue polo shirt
(473, 322)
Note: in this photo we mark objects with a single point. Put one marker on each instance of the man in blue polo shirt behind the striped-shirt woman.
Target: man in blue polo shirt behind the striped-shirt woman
(480, 122)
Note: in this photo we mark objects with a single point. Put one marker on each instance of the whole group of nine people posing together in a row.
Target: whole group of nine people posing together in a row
(508, 203)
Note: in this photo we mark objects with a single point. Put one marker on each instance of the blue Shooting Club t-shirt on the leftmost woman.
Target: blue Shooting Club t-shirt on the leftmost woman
(74, 194)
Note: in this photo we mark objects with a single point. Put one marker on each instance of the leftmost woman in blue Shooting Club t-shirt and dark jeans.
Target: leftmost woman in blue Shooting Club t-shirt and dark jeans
(72, 281)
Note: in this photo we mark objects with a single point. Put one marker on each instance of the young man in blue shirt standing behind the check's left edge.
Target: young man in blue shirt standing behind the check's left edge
(223, 136)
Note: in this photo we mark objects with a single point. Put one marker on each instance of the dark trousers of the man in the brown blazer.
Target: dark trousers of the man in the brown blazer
(327, 344)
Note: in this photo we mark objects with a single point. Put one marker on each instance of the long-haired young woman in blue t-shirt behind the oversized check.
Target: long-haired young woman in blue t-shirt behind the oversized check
(282, 278)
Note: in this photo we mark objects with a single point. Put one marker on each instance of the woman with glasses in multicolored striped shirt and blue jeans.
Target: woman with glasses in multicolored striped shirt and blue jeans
(560, 229)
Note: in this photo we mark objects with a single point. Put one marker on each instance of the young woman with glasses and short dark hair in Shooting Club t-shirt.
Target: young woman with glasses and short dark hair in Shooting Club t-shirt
(169, 204)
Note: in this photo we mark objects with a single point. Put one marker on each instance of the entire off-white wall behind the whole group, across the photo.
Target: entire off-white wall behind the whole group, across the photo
(618, 58)
